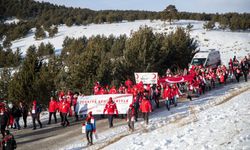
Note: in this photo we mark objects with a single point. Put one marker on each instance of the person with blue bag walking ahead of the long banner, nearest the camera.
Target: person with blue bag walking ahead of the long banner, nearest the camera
(90, 128)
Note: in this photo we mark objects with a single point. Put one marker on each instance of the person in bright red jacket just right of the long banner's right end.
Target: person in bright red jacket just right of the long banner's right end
(145, 108)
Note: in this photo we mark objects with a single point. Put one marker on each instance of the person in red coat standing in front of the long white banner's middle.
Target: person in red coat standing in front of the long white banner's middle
(111, 108)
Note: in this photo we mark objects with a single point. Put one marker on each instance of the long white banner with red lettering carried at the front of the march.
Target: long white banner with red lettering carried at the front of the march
(96, 103)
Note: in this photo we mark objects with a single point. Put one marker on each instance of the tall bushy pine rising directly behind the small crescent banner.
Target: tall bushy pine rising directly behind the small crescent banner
(141, 52)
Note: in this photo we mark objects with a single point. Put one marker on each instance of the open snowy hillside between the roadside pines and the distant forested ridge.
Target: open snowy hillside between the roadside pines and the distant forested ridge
(229, 43)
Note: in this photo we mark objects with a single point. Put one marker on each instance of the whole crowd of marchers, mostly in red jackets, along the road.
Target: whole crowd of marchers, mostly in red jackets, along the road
(146, 97)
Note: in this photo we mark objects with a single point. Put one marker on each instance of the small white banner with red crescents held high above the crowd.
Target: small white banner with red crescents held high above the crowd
(146, 78)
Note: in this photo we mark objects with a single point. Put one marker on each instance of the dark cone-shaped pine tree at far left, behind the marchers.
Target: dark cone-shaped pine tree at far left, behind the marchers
(22, 86)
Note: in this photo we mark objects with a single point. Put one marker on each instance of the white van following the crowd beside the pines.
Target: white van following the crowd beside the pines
(207, 58)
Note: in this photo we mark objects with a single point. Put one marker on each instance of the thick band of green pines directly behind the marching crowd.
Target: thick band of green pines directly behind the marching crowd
(84, 61)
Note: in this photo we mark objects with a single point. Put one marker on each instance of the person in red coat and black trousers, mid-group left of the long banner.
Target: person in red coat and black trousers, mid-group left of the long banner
(65, 106)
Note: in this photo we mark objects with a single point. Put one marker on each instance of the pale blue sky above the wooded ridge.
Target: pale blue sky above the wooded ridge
(208, 6)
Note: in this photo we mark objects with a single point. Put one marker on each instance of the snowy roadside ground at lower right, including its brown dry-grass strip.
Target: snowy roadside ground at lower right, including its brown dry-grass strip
(217, 120)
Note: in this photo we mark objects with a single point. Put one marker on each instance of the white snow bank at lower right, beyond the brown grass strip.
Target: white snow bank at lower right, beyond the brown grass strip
(225, 126)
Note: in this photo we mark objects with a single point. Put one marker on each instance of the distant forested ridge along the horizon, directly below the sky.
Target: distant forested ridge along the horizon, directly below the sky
(43, 15)
